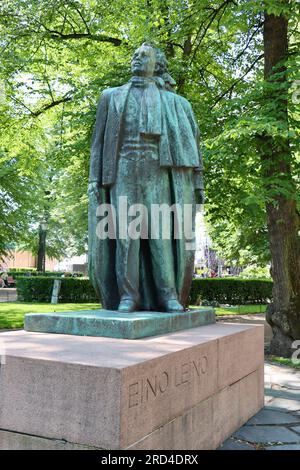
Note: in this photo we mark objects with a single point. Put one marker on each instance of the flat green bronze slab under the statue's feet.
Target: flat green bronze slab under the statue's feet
(113, 324)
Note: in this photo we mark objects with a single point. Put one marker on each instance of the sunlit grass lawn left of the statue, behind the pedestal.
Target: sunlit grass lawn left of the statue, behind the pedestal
(12, 313)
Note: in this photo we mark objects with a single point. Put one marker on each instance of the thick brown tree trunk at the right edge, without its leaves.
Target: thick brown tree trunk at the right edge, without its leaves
(283, 221)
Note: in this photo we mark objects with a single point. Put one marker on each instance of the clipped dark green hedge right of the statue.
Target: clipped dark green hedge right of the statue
(232, 291)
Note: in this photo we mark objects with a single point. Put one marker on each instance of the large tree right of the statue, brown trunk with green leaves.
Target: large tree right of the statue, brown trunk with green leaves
(255, 156)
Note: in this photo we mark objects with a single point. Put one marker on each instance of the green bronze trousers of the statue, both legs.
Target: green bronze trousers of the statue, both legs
(143, 181)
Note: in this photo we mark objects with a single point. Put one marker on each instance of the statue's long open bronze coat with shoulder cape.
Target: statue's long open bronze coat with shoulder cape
(179, 151)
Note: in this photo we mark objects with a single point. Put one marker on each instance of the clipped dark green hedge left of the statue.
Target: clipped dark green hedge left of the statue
(39, 289)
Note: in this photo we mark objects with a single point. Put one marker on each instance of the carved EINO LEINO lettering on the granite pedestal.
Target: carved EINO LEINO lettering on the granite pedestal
(150, 388)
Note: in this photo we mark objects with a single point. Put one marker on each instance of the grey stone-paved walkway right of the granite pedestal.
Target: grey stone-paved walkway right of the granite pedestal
(277, 425)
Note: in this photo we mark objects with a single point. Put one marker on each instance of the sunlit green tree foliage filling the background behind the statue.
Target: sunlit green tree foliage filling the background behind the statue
(58, 56)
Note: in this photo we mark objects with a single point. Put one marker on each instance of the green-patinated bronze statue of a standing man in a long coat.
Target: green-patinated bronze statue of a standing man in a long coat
(144, 149)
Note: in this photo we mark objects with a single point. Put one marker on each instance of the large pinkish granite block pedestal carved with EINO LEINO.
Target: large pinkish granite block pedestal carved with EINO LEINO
(183, 390)
